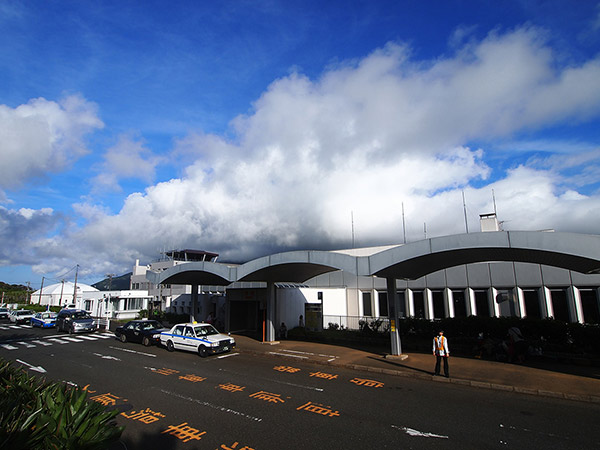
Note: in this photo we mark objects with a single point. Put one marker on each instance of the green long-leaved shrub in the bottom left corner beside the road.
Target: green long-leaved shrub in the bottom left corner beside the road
(38, 415)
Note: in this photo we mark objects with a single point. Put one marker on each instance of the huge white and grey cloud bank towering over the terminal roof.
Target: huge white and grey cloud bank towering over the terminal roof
(365, 138)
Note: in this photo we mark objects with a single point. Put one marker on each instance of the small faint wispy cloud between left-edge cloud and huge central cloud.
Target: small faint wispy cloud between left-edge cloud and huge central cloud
(129, 158)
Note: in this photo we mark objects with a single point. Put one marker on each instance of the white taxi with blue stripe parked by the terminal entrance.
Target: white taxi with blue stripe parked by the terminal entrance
(196, 337)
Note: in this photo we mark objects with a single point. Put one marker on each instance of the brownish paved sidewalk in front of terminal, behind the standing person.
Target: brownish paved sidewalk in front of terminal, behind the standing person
(541, 378)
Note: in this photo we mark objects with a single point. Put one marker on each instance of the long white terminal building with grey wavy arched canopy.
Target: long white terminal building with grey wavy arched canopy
(496, 273)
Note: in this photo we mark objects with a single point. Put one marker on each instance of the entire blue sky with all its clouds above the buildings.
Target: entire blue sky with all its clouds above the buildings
(247, 128)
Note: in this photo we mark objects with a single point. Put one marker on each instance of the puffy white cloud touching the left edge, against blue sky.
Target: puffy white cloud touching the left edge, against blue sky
(43, 137)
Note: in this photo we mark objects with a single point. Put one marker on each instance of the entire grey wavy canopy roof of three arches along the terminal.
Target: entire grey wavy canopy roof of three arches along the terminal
(570, 251)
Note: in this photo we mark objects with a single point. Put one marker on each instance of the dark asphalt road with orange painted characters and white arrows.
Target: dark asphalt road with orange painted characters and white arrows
(240, 401)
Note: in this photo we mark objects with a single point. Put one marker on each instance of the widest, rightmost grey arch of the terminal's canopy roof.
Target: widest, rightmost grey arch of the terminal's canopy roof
(571, 251)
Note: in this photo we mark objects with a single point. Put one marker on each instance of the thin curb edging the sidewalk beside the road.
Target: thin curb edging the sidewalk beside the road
(457, 381)
